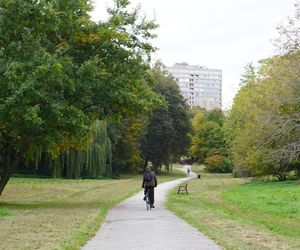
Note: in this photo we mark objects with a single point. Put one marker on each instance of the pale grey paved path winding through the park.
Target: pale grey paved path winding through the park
(129, 226)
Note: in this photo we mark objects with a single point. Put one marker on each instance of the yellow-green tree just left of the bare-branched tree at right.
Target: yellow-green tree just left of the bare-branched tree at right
(242, 129)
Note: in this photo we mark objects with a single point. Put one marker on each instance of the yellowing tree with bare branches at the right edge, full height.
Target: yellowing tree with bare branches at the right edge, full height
(283, 117)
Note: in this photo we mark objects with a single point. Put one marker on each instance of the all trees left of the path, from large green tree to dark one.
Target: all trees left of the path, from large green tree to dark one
(79, 98)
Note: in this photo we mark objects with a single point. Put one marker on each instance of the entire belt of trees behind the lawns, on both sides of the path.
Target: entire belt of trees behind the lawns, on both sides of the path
(79, 99)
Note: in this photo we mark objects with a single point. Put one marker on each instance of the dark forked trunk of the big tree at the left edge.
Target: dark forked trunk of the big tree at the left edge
(9, 167)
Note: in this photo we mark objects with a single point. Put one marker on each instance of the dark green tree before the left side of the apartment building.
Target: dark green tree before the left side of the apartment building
(166, 138)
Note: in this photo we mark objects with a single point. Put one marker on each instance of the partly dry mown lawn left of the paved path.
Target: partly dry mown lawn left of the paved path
(60, 214)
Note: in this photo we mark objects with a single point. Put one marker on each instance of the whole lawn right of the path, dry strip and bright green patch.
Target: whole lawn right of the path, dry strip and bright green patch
(239, 214)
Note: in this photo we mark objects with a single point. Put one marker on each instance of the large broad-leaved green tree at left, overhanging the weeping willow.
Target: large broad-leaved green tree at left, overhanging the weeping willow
(59, 71)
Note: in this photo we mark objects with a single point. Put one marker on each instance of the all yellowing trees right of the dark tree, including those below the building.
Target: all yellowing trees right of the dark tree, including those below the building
(260, 135)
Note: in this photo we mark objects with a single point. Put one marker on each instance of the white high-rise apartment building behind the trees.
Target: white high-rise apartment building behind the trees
(200, 86)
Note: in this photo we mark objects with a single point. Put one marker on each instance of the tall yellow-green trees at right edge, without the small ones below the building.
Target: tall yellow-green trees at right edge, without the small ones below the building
(262, 129)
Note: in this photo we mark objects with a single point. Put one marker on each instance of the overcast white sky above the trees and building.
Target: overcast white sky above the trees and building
(222, 34)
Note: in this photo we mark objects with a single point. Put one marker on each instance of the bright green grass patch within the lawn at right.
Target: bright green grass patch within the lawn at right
(276, 205)
